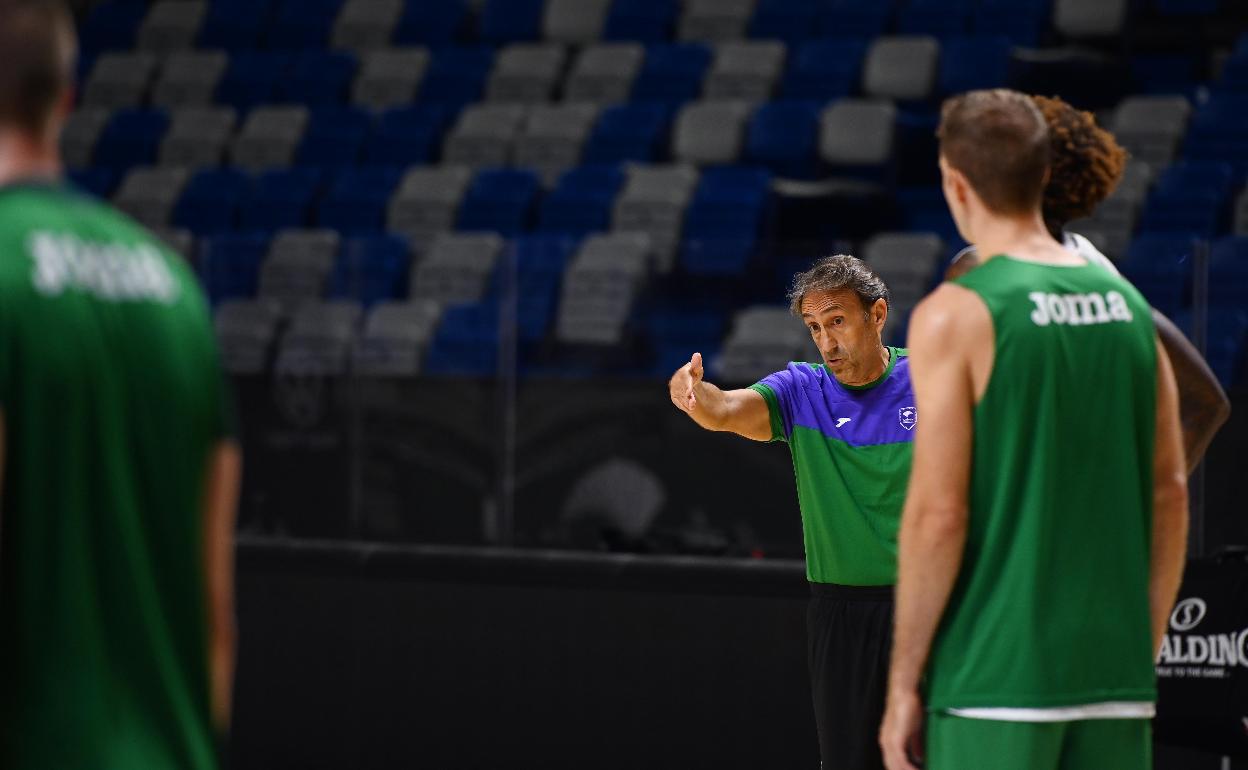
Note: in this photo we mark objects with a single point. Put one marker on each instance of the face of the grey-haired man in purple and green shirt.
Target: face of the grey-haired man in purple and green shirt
(848, 335)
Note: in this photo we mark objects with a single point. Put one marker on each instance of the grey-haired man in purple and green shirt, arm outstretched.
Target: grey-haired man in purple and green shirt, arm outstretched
(849, 424)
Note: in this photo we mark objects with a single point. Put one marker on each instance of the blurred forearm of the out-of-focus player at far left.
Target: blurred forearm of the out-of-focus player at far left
(220, 505)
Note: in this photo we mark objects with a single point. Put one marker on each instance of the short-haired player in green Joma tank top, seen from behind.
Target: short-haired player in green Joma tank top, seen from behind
(1046, 520)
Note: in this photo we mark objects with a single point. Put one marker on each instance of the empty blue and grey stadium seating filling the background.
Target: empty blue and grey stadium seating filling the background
(363, 183)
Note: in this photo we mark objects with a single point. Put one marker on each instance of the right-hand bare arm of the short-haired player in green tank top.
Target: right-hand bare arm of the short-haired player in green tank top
(1170, 502)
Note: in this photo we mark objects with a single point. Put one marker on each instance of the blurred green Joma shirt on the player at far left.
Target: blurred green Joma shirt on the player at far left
(113, 399)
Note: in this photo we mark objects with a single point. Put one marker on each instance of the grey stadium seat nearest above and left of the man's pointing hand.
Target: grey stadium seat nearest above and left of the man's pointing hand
(600, 288)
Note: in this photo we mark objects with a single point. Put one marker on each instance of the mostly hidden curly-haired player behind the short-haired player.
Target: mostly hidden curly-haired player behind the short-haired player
(1086, 164)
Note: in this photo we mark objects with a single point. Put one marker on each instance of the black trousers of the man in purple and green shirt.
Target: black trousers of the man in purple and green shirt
(849, 638)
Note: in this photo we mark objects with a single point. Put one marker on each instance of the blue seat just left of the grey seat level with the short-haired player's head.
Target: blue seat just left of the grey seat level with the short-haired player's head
(782, 135)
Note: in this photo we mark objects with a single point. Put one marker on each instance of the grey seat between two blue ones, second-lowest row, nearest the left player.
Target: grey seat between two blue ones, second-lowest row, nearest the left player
(298, 266)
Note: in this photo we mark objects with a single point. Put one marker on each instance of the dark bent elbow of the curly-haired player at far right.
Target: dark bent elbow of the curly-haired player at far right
(1204, 405)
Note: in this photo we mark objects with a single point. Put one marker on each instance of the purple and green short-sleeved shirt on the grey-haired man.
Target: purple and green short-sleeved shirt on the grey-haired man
(852, 449)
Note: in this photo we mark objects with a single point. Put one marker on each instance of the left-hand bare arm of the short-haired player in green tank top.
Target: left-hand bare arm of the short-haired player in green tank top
(944, 330)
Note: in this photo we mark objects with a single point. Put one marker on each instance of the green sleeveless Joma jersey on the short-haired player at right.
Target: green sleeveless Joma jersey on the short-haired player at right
(1051, 605)
